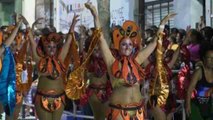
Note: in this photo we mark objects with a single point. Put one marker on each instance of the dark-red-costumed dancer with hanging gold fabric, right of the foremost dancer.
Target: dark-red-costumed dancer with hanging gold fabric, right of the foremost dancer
(158, 71)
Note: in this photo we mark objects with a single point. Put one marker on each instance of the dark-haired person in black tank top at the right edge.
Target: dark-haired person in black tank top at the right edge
(200, 108)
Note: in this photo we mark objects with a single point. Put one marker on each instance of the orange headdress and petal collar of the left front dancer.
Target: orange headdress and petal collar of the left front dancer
(51, 65)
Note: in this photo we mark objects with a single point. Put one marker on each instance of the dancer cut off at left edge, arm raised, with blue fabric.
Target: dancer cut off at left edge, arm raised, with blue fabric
(8, 74)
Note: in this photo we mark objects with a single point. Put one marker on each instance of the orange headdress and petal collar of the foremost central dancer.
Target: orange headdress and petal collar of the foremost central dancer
(129, 70)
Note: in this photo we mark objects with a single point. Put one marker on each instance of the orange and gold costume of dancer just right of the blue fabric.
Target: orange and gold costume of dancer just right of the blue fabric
(23, 62)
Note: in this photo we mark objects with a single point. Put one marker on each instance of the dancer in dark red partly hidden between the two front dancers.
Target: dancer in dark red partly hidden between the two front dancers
(99, 88)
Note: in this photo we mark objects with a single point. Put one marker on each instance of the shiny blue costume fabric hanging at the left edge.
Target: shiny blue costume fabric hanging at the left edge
(8, 82)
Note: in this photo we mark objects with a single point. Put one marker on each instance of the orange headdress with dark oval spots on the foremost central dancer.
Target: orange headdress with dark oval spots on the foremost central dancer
(128, 30)
